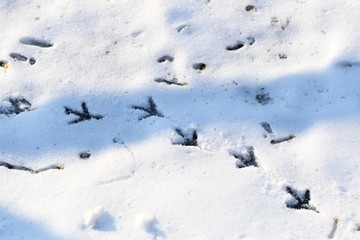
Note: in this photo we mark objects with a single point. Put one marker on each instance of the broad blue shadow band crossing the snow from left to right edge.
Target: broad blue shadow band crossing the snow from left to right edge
(298, 102)
